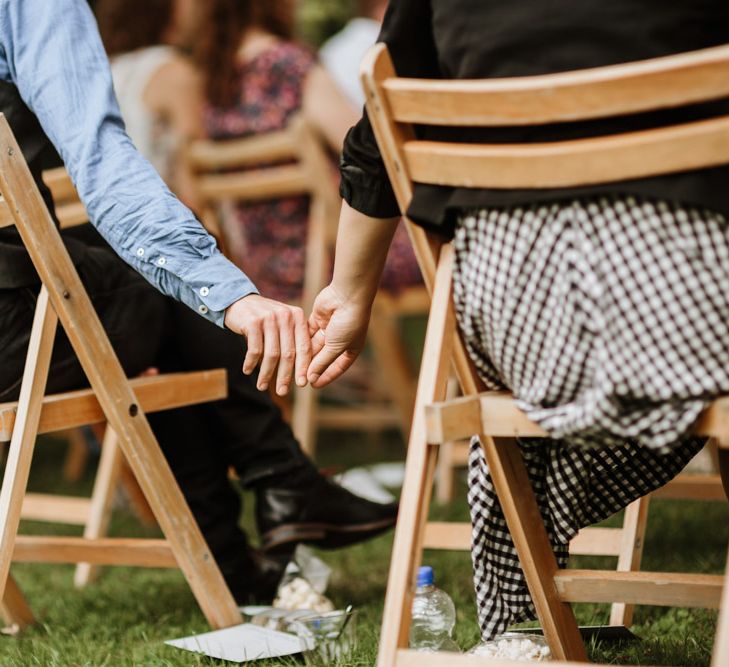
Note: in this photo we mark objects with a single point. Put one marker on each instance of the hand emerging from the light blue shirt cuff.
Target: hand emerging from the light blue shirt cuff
(277, 337)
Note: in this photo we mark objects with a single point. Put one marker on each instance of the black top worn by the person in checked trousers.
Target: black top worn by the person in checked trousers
(472, 39)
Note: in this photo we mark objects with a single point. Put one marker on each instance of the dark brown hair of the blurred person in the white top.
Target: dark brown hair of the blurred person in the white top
(127, 25)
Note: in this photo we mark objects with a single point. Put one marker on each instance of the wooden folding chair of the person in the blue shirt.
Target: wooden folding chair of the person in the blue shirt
(112, 398)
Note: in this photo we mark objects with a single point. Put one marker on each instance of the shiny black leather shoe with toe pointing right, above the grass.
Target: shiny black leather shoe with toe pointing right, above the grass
(319, 512)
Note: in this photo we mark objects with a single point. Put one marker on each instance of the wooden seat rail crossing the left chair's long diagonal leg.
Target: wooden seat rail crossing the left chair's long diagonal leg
(162, 392)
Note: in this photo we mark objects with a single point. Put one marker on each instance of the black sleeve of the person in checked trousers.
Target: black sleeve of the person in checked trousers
(408, 32)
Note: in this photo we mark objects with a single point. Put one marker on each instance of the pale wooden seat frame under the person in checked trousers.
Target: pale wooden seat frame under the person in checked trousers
(496, 414)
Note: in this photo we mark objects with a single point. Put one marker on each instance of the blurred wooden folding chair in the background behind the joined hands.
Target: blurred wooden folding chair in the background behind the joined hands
(293, 162)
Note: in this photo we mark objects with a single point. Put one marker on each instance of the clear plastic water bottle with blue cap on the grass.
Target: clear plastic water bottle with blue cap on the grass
(434, 616)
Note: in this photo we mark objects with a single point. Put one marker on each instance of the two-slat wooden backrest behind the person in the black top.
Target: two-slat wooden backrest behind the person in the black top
(660, 83)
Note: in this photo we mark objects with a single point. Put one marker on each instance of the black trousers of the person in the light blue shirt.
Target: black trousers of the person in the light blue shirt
(245, 431)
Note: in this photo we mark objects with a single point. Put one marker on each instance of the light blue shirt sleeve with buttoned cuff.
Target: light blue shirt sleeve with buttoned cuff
(51, 50)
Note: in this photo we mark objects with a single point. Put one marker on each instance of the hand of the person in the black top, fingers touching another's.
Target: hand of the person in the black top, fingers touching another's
(338, 329)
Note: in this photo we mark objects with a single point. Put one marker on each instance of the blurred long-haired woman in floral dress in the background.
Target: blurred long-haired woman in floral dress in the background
(257, 77)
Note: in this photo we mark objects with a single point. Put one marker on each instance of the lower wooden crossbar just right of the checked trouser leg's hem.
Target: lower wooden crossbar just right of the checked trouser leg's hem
(651, 588)
